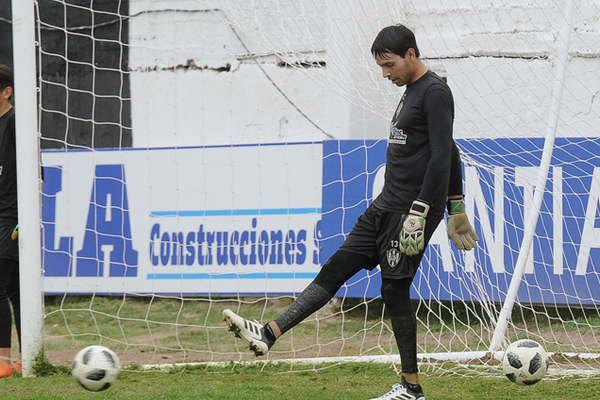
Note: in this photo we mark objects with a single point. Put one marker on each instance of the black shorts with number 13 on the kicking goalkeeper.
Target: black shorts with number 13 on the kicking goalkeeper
(376, 235)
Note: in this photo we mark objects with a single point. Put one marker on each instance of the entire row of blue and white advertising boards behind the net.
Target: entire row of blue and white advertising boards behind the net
(261, 219)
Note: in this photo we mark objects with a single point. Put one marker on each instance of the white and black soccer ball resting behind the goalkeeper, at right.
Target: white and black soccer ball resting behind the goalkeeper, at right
(525, 362)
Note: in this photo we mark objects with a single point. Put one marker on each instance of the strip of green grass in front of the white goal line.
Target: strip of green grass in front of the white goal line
(350, 381)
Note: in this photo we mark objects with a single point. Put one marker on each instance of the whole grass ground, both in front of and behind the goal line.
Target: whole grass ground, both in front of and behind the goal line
(145, 330)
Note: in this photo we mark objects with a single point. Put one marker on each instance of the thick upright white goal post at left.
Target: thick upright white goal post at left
(28, 177)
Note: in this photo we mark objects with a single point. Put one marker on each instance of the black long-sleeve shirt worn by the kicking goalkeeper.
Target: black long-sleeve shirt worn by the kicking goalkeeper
(421, 152)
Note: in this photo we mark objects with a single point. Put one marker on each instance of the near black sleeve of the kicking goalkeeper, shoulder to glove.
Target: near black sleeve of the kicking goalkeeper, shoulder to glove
(439, 112)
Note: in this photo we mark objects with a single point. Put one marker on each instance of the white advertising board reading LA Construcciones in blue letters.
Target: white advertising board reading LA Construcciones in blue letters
(216, 219)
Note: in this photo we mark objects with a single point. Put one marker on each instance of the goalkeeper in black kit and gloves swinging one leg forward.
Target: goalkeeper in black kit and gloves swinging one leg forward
(423, 175)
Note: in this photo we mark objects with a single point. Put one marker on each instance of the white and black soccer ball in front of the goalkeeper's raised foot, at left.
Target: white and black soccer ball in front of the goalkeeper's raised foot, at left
(96, 368)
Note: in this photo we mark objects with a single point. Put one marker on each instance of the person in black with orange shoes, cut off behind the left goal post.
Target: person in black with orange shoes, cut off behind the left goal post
(9, 248)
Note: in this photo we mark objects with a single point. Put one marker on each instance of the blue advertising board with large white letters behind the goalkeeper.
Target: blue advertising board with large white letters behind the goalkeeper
(564, 265)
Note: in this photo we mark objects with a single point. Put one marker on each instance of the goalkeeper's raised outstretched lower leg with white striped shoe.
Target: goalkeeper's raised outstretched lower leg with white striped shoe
(339, 268)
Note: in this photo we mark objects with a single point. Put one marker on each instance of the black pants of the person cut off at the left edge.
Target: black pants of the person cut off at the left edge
(9, 295)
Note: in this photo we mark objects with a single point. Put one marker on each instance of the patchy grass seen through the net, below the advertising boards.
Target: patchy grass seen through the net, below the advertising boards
(149, 330)
